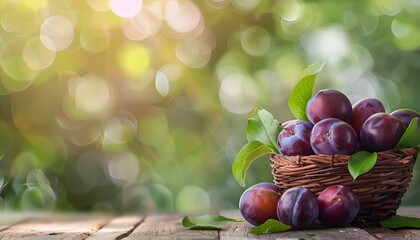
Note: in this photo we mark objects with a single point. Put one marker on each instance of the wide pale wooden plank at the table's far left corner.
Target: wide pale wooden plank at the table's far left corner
(57, 226)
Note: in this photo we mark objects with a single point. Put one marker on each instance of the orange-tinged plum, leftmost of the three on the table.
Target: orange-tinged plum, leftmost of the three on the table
(259, 202)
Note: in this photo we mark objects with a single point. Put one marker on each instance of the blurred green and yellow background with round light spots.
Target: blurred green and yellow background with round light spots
(141, 106)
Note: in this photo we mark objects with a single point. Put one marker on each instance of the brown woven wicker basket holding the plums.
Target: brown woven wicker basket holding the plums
(379, 191)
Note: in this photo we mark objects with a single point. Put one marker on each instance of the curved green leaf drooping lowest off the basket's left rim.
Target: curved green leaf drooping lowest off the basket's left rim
(245, 157)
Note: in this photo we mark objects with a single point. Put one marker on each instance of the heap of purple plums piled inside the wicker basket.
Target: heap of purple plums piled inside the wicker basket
(337, 127)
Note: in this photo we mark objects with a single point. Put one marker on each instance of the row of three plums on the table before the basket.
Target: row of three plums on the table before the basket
(298, 207)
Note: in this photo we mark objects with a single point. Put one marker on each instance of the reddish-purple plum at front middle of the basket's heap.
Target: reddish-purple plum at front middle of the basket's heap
(333, 136)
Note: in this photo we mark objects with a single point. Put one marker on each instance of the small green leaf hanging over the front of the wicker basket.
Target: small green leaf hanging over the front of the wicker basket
(361, 163)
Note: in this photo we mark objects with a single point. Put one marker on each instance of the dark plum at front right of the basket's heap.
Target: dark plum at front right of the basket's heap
(381, 132)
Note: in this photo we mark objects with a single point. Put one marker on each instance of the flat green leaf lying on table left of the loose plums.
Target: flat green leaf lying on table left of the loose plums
(206, 222)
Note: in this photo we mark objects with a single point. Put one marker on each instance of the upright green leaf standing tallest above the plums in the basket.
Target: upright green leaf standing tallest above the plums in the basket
(302, 92)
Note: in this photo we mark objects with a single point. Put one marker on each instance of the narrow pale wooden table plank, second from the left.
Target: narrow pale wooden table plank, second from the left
(117, 228)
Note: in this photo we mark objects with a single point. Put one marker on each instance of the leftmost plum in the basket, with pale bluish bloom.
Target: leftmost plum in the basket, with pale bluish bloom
(294, 139)
